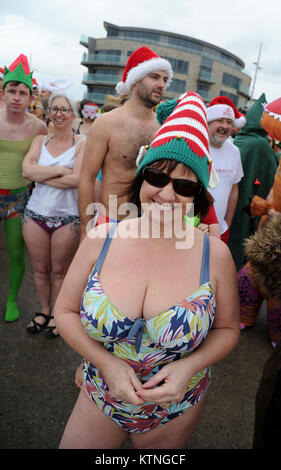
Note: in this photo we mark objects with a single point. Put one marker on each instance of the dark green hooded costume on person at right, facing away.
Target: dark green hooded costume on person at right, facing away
(259, 164)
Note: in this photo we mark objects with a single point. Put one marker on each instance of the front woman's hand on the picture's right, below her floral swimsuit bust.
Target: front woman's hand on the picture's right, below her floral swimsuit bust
(176, 377)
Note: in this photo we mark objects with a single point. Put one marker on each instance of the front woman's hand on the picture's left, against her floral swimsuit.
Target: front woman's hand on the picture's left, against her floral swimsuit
(122, 381)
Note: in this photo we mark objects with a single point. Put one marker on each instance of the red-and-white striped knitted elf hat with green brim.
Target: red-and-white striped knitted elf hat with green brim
(183, 137)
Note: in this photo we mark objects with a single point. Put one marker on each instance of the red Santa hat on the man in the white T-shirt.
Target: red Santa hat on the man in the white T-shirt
(222, 107)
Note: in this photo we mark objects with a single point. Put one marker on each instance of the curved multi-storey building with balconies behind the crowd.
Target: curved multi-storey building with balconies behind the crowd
(197, 65)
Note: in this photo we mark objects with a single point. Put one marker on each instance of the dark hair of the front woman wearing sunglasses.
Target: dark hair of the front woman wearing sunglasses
(202, 202)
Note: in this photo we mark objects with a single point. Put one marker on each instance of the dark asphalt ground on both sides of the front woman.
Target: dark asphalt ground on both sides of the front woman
(37, 390)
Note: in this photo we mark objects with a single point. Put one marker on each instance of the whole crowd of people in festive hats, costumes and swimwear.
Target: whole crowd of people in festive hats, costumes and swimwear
(85, 190)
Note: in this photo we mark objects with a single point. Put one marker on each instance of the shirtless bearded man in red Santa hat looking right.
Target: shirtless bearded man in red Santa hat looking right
(116, 137)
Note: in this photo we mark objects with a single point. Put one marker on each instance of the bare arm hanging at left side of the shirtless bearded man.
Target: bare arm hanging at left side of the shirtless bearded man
(95, 151)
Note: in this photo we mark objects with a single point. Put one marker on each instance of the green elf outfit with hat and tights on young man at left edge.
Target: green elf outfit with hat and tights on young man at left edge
(14, 192)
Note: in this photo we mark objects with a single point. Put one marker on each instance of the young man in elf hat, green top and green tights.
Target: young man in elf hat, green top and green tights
(17, 130)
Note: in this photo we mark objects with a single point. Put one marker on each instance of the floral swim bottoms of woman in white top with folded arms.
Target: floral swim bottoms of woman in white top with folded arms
(50, 224)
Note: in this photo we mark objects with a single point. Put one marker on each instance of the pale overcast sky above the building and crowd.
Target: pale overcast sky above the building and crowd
(49, 32)
